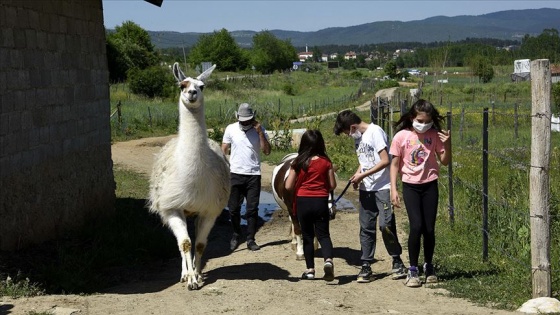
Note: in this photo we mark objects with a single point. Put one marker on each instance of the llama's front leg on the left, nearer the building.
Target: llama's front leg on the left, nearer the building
(178, 225)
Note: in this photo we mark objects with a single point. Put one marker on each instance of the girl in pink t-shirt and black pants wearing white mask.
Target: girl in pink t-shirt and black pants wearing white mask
(415, 150)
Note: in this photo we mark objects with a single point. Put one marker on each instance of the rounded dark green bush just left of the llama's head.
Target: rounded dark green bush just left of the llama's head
(151, 82)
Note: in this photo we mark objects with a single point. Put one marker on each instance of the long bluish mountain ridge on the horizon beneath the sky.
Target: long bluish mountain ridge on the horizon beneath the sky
(507, 25)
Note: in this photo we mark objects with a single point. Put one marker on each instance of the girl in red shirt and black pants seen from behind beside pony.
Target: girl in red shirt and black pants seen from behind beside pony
(312, 178)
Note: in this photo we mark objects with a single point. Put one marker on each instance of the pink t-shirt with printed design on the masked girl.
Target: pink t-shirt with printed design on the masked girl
(418, 163)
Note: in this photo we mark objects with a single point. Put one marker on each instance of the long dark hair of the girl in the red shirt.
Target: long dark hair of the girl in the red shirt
(312, 144)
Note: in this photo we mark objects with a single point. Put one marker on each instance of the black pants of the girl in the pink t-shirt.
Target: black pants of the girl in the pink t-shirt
(421, 201)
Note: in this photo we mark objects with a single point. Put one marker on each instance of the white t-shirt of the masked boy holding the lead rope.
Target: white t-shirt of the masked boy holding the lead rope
(373, 140)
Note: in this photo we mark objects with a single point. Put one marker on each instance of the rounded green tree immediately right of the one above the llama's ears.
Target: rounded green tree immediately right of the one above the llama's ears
(270, 54)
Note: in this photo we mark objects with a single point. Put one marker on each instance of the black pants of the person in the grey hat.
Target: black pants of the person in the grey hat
(245, 187)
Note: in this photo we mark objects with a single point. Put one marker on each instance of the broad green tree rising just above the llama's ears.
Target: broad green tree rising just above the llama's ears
(219, 48)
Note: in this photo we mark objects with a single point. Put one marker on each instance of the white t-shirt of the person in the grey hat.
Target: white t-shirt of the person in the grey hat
(245, 150)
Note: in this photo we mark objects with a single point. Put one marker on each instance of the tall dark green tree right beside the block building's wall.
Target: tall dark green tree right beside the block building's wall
(129, 47)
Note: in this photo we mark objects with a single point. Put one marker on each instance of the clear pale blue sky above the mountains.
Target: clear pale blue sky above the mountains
(208, 16)
